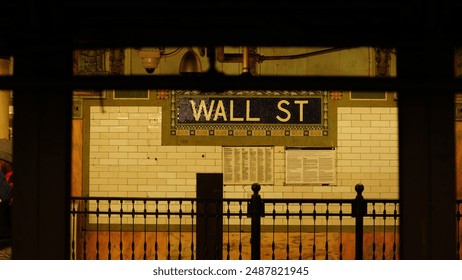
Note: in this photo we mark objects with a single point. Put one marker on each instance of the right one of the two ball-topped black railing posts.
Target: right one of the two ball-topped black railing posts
(359, 210)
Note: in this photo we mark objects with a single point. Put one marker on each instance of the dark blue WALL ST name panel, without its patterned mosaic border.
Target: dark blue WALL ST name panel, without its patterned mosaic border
(299, 110)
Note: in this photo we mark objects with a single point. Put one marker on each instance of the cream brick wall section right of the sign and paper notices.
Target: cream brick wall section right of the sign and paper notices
(368, 151)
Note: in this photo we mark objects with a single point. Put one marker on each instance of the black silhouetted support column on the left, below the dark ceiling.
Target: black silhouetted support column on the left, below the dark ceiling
(42, 147)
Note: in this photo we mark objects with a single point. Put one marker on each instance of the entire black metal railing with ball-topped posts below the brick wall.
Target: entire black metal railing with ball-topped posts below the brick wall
(235, 228)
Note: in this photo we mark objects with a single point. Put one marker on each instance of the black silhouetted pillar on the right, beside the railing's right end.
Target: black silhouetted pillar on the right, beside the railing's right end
(427, 155)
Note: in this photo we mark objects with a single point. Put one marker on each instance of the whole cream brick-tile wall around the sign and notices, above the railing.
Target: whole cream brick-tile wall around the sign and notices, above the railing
(127, 158)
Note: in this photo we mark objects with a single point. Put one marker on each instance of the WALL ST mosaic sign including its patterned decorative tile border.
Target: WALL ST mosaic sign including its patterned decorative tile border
(254, 117)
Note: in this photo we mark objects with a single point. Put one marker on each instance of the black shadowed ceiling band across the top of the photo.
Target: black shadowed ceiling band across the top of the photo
(102, 23)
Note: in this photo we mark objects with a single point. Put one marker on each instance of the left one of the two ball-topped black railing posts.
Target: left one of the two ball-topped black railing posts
(255, 210)
